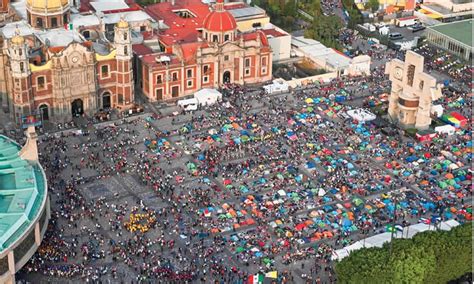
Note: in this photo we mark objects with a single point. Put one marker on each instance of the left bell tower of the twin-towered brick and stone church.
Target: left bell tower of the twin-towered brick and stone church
(22, 96)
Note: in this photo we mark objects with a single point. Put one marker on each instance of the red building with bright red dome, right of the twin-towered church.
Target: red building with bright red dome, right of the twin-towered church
(216, 55)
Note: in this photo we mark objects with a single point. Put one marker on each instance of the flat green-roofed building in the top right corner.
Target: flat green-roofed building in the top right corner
(454, 37)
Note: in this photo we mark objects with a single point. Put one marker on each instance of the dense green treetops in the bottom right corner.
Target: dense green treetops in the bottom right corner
(429, 257)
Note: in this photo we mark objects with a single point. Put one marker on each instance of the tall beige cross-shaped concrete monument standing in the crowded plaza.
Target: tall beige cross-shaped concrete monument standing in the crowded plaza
(413, 92)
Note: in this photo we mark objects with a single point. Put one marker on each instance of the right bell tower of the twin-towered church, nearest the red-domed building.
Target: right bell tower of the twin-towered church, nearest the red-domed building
(123, 47)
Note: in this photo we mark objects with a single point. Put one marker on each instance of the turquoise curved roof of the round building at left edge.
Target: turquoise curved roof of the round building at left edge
(22, 192)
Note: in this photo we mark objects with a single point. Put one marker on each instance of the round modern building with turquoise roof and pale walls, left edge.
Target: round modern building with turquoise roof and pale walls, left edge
(24, 204)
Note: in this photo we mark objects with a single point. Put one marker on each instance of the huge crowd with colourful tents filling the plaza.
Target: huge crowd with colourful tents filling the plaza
(266, 183)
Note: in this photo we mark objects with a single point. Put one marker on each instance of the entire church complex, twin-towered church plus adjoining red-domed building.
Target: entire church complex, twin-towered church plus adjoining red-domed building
(61, 59)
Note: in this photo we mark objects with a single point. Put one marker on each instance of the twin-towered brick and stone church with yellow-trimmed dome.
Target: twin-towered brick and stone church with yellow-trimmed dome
(60, 80)
